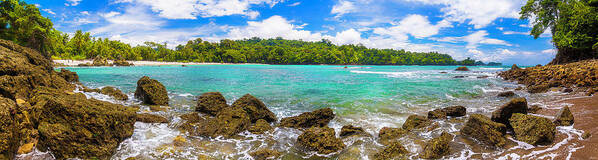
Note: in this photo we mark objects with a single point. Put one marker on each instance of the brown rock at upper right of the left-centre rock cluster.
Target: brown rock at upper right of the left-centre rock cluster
(255, 108)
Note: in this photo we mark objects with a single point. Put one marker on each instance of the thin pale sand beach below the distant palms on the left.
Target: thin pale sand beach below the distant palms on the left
(141, 63)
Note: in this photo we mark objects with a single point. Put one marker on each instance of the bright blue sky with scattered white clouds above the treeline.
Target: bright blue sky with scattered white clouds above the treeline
(486, 30)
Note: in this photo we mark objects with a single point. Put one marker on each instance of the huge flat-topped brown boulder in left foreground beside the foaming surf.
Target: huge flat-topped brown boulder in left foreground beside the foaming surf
(68, 122)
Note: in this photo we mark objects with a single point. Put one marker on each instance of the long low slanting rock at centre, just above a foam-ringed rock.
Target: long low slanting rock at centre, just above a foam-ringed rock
(317, 118)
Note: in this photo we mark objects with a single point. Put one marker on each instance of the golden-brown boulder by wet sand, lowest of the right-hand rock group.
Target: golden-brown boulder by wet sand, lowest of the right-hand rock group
(533, 129)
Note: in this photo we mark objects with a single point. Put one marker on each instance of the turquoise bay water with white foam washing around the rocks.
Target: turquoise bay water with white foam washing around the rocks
(371, 97)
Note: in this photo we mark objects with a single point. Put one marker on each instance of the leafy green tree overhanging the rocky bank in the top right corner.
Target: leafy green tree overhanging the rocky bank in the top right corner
(573, 23)
